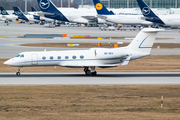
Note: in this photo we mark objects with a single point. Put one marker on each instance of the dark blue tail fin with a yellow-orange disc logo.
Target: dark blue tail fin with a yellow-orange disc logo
(101, 9)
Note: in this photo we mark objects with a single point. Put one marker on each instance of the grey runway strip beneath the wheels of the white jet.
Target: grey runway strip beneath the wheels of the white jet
(105, 79)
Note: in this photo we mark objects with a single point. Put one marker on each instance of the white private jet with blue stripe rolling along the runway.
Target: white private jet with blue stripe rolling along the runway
(92, 58)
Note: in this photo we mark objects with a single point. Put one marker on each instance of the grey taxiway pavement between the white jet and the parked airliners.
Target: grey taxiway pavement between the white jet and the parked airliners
(9, 47)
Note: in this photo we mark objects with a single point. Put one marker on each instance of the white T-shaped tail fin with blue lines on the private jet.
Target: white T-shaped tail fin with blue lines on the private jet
(143, 42)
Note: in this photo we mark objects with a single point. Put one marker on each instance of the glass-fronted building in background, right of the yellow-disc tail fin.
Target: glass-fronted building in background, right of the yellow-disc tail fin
(133, 3)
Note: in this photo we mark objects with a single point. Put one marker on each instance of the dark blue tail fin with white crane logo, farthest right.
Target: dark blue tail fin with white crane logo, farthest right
(148, 13)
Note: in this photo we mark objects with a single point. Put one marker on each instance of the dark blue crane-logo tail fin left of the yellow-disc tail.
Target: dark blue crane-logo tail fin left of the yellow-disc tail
(48, 7)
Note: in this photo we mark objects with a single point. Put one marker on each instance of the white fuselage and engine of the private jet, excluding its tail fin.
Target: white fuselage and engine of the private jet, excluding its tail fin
(77, 58)
